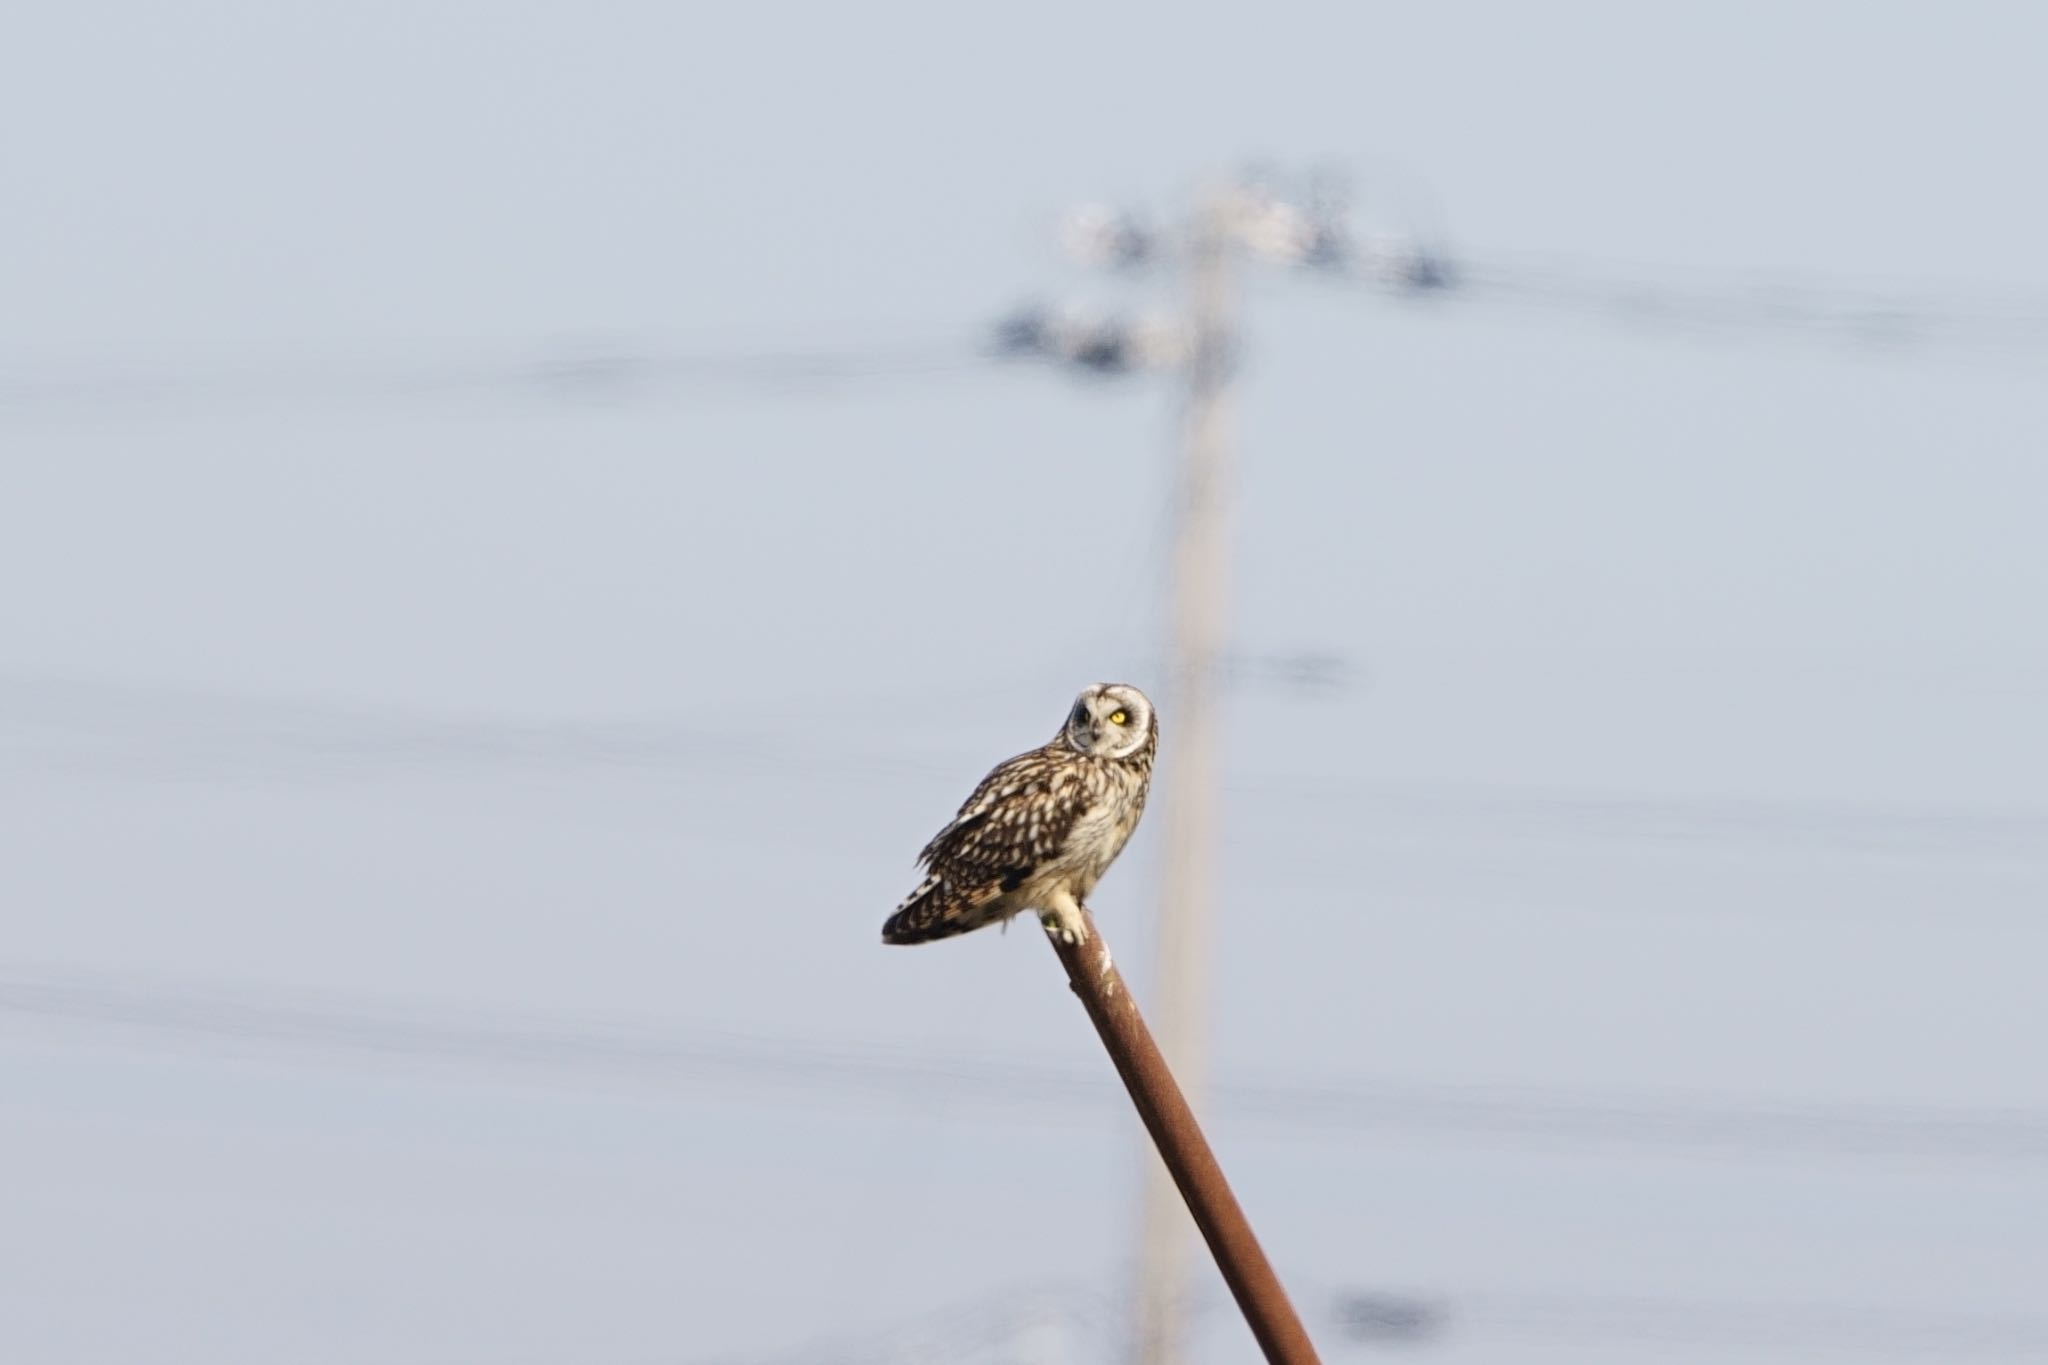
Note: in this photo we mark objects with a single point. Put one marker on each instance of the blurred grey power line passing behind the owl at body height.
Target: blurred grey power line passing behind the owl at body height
(99, 730)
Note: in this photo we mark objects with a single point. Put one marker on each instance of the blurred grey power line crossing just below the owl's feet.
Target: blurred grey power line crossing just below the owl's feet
(644, 1057)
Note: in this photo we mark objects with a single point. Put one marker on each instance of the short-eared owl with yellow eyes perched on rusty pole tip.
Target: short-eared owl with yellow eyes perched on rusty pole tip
(1043, 828)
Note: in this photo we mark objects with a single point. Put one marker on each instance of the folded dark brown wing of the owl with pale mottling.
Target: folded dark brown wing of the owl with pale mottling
(1017, 820)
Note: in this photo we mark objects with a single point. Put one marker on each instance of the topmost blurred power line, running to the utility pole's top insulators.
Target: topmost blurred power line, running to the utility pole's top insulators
(1889, 316)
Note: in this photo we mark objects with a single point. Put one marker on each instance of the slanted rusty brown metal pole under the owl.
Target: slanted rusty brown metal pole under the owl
(1183, 1149)
